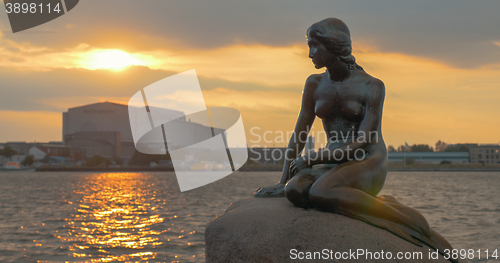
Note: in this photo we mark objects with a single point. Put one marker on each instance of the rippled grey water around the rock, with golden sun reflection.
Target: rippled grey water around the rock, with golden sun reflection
(108, 217)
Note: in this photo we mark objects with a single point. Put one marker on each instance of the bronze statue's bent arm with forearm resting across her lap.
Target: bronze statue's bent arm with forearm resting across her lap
(369, 126)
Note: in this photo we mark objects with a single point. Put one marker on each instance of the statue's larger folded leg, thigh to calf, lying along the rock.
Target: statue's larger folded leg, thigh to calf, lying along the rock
(349, 189)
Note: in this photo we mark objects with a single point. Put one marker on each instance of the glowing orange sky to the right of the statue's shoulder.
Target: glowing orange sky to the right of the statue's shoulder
(435, 101)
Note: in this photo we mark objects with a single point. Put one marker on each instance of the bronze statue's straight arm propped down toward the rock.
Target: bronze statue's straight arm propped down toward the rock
(302, 127)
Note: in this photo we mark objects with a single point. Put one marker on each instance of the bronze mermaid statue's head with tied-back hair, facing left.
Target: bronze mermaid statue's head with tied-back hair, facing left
(334, 36)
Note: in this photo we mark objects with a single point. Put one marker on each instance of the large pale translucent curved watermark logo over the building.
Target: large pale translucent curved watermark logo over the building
(204, 144)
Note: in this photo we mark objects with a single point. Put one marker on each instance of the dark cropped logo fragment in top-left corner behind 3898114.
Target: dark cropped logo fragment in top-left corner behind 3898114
(26, 14)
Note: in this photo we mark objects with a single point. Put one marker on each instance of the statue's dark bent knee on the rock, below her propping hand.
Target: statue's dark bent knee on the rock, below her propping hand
(297, 188)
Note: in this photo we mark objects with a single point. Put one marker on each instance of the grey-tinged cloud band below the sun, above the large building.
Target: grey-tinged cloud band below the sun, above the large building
(49, 90)
